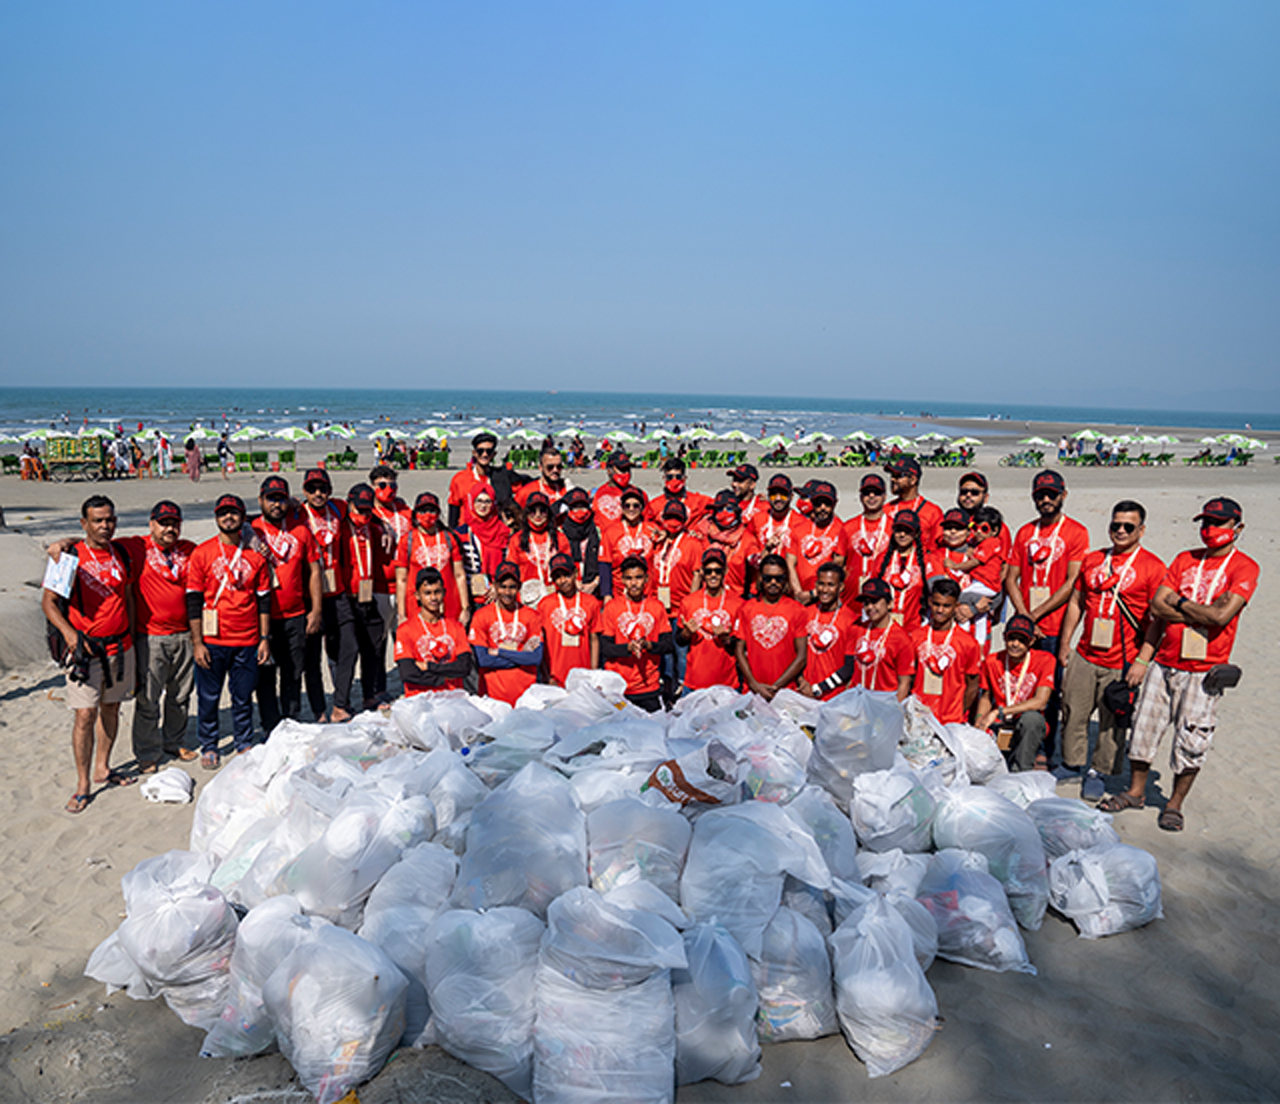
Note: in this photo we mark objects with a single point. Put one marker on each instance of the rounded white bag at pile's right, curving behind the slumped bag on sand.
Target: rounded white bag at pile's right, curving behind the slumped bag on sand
(979, 819)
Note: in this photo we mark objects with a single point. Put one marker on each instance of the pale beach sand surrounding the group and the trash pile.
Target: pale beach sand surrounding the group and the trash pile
(1183, 1010)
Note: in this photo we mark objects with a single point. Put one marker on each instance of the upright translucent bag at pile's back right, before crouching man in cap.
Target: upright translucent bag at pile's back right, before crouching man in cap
(858, 732)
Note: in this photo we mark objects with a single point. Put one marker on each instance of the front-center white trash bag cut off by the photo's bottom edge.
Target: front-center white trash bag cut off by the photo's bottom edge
(593, 1046)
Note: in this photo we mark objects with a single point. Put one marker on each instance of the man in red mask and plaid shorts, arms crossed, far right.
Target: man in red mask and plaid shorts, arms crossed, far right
(1199, 608)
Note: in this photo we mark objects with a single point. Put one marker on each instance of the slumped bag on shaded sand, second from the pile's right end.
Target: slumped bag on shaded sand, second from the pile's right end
(976, 927)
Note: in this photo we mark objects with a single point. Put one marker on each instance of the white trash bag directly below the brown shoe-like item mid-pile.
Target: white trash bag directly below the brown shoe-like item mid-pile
(629, 840)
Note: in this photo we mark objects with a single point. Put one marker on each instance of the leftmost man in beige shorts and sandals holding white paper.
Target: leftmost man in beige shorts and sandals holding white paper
(97, 626)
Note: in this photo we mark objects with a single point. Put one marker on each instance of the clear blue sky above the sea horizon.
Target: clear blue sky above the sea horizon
(1031, 202)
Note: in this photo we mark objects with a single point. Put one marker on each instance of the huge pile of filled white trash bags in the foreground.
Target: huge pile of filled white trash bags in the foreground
(591, 902)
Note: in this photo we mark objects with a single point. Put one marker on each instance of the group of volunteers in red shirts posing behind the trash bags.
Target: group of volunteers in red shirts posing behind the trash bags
(516, 580)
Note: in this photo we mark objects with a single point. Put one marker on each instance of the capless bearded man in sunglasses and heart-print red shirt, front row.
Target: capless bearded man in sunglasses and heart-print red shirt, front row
(771, 649)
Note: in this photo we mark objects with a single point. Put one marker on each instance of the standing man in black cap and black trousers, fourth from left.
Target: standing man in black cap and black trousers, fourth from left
(294, 565)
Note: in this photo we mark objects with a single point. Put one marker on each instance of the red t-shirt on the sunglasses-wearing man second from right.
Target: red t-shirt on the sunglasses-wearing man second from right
(1136, 577)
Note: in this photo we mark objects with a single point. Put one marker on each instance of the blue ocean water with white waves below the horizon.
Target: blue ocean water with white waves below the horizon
(368, 410)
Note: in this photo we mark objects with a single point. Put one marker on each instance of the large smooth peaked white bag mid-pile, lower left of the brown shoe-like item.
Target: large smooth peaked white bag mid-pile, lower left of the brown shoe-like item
(527, 845)
